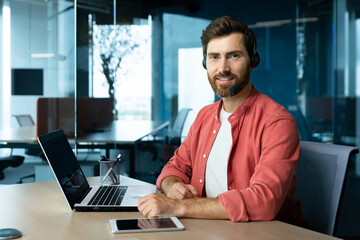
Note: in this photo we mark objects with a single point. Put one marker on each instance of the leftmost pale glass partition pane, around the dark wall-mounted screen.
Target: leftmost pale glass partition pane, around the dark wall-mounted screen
(37, 56)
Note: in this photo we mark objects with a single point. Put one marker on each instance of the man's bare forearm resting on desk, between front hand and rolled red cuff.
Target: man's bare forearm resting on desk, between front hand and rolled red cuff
(211, 208)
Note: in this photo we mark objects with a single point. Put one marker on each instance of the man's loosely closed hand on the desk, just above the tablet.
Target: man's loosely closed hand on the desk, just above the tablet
(158, 205)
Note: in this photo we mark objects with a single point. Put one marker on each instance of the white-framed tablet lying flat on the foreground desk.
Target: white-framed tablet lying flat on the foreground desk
(145, 225)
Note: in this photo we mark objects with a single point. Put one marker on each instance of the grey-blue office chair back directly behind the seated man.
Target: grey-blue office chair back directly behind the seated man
(321, 174)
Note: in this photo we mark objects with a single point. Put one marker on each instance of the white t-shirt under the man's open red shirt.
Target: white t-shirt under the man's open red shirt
(216, 166)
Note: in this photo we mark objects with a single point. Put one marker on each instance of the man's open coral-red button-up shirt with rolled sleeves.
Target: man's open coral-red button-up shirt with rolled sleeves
(261, 163)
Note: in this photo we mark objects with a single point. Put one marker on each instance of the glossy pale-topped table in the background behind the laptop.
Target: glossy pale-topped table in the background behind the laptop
(120, 134)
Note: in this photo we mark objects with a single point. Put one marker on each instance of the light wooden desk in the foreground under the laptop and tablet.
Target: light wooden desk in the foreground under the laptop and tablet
(39, 211)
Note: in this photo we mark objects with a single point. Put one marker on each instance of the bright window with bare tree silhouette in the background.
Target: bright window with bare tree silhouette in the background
(122, 68)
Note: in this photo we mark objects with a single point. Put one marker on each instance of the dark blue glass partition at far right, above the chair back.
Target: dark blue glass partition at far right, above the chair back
(327, 36)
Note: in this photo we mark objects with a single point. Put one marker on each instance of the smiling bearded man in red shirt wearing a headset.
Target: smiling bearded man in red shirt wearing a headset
(238, 160)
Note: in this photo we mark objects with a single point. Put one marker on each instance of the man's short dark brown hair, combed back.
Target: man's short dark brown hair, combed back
(226, 25)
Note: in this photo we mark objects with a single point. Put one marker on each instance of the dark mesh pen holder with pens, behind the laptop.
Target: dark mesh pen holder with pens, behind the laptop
(109, 172)
